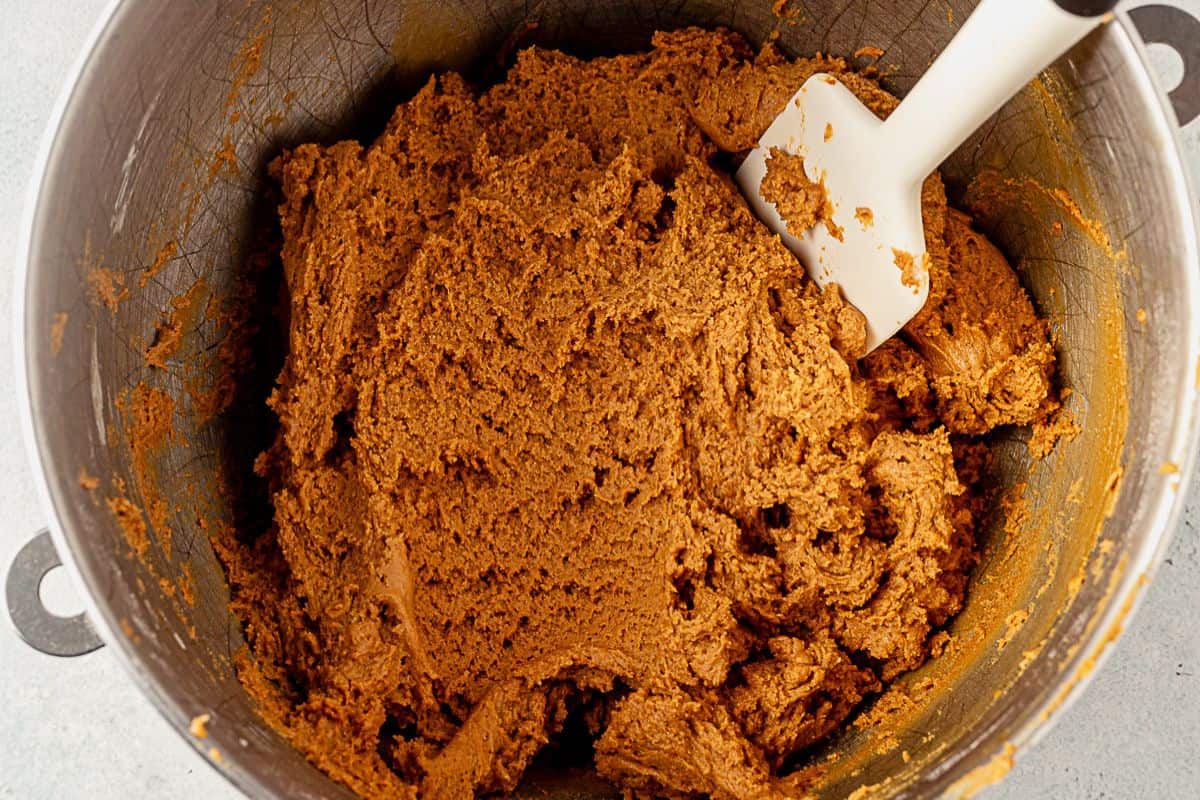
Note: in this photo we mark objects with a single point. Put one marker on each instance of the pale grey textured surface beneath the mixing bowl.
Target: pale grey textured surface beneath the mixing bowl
(79, 729)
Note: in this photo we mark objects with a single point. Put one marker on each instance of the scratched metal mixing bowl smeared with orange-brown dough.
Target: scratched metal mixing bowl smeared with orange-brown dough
(167, 139)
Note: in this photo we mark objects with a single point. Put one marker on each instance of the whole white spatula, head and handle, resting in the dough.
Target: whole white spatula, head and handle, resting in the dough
(880, 166)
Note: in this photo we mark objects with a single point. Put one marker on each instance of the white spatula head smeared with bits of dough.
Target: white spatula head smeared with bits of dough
(875, 249)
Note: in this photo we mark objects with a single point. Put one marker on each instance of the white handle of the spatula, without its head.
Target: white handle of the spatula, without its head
(1000, 49)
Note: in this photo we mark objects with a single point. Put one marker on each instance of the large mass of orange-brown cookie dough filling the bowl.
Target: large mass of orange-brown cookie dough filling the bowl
(568, 435)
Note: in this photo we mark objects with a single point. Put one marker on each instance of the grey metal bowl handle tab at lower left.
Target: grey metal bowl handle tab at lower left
(41, 630)
